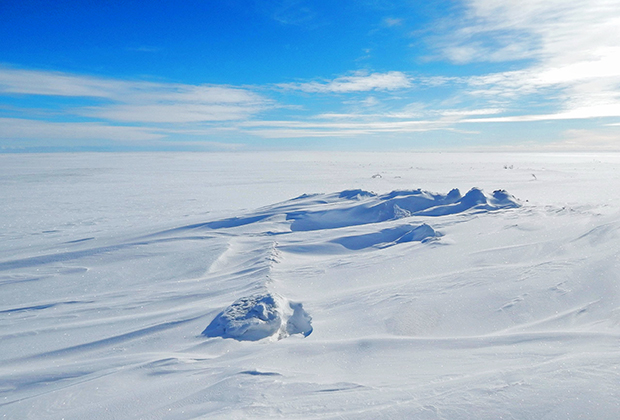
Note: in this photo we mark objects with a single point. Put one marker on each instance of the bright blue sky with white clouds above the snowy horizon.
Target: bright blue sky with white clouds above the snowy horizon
(320, 75)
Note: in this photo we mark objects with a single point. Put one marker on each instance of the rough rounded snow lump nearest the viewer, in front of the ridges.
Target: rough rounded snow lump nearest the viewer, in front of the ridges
(260, 316)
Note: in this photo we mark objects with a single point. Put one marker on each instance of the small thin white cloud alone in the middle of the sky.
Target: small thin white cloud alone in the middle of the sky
(357, 82)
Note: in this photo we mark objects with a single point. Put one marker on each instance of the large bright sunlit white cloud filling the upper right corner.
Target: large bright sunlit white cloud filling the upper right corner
(572, 48)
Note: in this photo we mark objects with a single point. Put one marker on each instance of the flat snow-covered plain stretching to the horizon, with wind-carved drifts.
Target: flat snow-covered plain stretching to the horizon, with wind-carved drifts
(310, 285)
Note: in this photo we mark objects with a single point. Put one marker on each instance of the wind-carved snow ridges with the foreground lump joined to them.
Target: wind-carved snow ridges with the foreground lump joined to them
(270, 315)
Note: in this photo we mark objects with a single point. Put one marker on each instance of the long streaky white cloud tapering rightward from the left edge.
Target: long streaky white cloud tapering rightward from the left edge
(138, 101)
